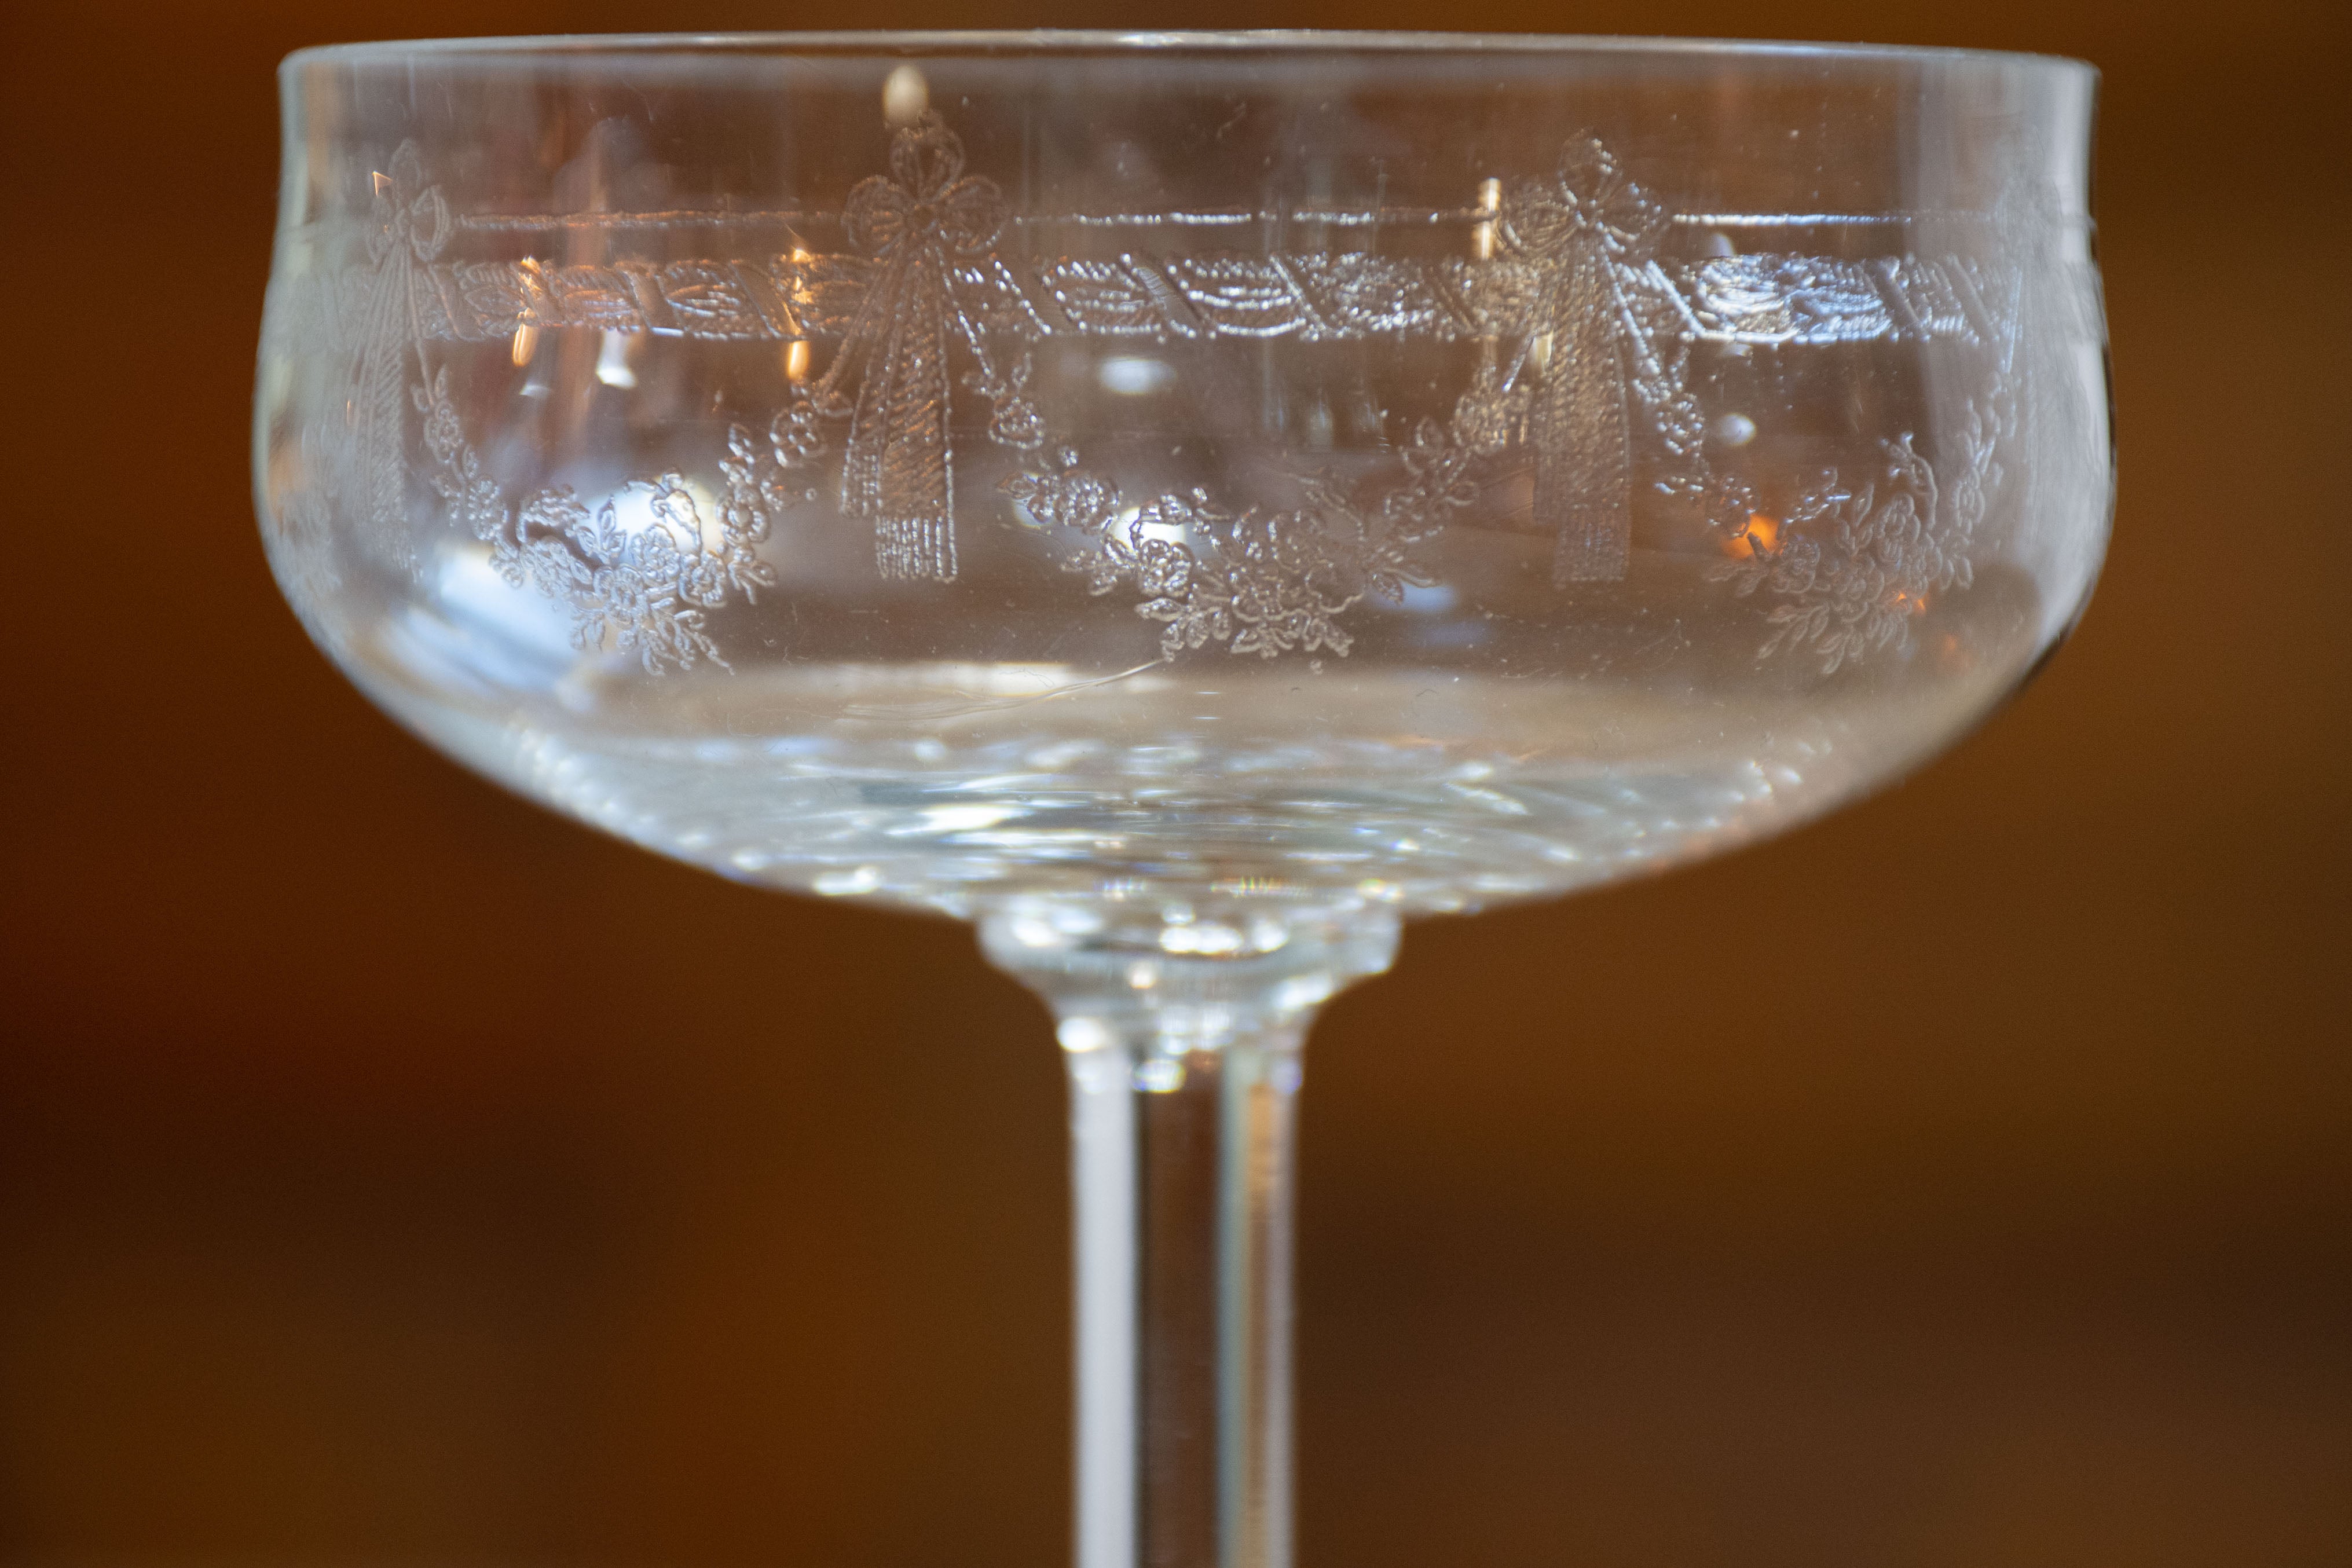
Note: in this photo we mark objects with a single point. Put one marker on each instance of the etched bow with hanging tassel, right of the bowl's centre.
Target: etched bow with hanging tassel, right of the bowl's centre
(1584, 227)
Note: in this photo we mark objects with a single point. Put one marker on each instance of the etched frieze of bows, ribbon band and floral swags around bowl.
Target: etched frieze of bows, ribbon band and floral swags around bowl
(1579, 328)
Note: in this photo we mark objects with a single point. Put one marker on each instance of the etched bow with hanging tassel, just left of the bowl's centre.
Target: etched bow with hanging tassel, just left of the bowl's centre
(897, 467)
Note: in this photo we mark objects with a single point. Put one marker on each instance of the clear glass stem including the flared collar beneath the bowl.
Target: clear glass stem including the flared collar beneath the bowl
(1184, 1052)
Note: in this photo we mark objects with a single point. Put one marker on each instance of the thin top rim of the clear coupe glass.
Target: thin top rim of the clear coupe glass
(1045, 43)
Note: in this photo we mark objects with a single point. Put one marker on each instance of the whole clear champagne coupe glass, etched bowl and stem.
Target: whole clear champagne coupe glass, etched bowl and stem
(1184, 504)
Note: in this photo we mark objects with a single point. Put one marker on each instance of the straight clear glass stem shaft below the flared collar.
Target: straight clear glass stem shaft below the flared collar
(1182, 1193)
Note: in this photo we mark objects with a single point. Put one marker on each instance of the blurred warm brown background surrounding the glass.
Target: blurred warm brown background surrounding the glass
(396, 1174)
